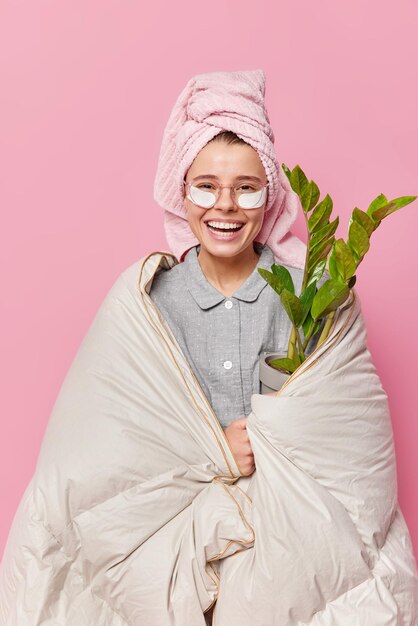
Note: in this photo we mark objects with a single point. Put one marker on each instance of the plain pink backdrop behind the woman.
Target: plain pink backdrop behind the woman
(86, 90)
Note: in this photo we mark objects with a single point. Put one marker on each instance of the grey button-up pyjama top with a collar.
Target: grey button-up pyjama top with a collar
(223, 337)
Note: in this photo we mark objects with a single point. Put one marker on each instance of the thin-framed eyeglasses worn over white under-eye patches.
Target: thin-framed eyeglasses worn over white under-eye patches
(206, 192)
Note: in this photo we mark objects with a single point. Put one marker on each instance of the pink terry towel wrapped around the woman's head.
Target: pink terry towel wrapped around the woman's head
(209, 104)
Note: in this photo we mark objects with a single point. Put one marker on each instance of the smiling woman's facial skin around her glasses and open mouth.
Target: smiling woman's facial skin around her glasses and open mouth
(229, 163)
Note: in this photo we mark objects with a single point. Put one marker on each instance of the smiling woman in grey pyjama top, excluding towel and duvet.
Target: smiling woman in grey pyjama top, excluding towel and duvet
(219, 307)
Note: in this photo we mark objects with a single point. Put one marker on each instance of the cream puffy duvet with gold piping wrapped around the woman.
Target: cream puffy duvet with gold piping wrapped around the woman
(137, 513)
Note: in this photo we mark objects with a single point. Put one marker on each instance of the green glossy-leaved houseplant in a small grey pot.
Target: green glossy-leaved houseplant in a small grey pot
(315, 307)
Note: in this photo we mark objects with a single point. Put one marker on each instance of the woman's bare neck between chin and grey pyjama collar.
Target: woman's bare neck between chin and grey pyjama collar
(226, 274)
